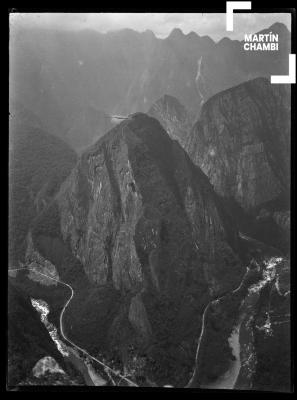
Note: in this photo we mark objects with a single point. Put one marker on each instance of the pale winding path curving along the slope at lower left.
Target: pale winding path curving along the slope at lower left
(106, 367)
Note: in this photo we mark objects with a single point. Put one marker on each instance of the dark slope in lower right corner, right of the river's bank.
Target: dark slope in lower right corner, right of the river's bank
(272, 339)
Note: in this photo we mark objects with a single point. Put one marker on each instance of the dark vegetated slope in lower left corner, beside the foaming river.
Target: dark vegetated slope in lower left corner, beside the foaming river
(29, 341)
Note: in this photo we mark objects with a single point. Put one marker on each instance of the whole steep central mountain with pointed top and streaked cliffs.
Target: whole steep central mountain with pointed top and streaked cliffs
(145, 227)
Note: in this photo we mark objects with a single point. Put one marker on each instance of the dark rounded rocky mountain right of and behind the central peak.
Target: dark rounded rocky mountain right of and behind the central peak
(242, 143)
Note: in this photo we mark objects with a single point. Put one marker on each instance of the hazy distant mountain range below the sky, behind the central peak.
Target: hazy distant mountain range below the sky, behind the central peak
(73, 80)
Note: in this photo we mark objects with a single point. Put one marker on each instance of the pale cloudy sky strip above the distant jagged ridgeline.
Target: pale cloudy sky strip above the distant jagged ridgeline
(213, 25)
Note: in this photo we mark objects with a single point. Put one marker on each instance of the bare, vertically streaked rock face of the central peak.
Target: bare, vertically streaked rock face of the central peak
(132, 197)
